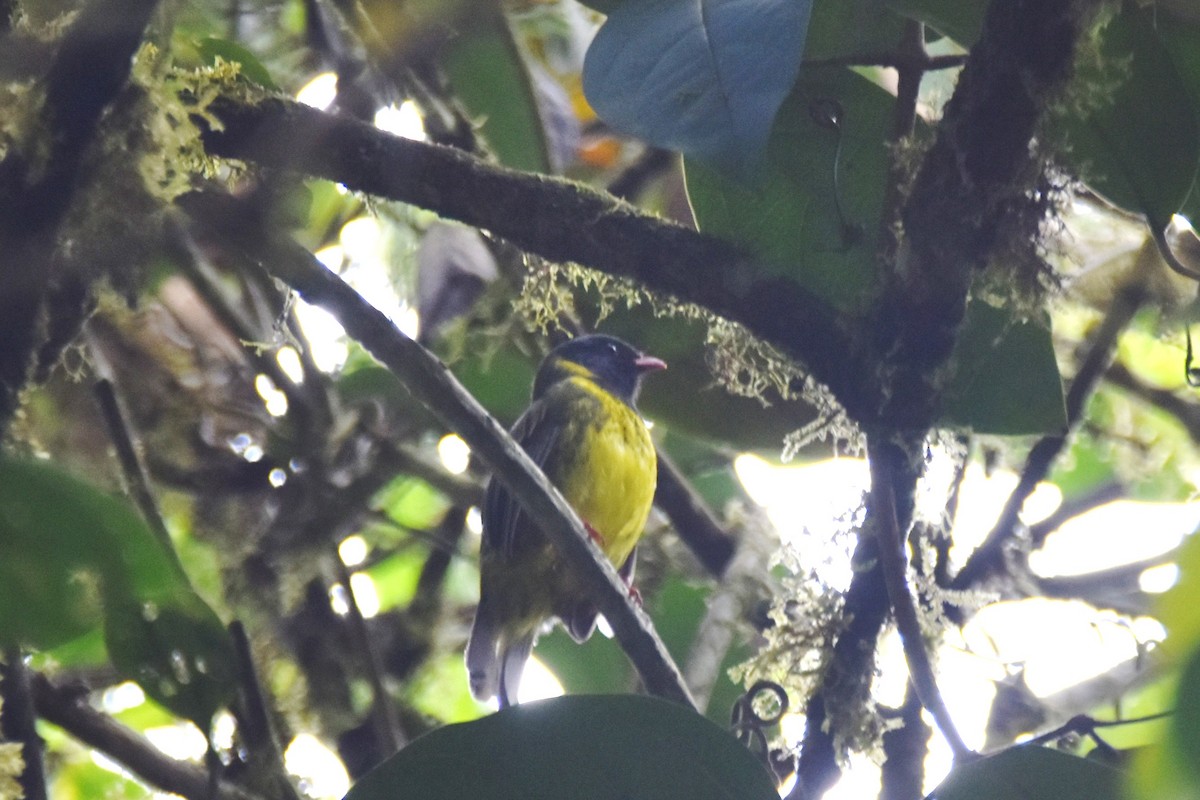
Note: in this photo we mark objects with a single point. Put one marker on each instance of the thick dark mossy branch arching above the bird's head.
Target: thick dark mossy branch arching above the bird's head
(559, 220)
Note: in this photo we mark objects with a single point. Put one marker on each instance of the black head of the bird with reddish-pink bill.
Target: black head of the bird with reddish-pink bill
(610, 363)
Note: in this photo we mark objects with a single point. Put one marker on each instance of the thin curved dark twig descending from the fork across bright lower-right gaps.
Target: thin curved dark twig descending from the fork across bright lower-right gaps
(904, 610)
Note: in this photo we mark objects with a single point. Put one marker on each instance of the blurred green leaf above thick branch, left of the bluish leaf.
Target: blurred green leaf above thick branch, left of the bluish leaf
(489, 76)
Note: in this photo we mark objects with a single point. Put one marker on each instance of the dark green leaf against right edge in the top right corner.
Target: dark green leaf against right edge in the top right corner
(1142, 148)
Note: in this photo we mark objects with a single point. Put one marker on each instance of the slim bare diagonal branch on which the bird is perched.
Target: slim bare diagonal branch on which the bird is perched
(431, 383)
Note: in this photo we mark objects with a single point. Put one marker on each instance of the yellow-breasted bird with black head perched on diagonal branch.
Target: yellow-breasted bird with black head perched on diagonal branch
(584, 430)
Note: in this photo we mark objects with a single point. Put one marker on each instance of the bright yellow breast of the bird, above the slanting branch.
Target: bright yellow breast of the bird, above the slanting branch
(611, 482)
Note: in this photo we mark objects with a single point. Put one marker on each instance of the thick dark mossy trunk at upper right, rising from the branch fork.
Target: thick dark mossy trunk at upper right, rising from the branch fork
(979, 170)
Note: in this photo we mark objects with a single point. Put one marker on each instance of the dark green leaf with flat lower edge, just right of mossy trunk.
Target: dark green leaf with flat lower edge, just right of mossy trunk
(1006, 378)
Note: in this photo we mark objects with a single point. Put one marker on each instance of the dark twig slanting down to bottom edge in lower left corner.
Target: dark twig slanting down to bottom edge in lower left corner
(69, 709)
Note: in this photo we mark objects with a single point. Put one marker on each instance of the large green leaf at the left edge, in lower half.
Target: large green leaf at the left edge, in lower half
(71, 555)
